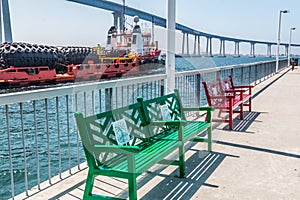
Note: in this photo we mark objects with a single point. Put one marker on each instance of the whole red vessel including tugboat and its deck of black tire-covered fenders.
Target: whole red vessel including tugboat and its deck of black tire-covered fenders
(24, 64)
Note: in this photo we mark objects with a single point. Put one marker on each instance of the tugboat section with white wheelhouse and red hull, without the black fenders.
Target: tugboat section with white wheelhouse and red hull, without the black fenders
(125, 53)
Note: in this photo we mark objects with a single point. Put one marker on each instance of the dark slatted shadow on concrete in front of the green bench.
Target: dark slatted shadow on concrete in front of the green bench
(198, 170)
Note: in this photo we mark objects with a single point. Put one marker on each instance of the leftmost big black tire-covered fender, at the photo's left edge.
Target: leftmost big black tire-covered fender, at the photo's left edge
(19, 54)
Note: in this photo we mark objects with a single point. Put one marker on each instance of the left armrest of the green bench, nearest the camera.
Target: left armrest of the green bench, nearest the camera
(118, 149)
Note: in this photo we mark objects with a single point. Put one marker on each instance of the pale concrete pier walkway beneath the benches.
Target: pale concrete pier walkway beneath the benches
(259, 159)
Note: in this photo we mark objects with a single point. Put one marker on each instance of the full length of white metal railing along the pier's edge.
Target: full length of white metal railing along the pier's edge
(38, 134)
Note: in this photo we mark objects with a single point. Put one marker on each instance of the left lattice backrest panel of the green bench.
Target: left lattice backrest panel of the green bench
(98, 130)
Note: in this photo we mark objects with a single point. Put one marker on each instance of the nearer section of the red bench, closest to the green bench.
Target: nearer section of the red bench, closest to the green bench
(225, 102)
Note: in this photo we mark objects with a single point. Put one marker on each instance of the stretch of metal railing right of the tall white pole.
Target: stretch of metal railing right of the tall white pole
(190, 83)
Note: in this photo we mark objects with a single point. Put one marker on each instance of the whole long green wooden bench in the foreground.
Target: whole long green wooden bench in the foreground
(123, 143)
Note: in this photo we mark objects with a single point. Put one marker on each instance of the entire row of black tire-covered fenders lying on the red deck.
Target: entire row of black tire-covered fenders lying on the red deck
(20, 54)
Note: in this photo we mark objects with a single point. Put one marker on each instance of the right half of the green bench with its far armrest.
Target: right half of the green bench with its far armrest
(169, 109)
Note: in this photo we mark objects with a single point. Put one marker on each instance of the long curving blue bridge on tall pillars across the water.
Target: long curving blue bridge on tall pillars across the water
(187, 32)
